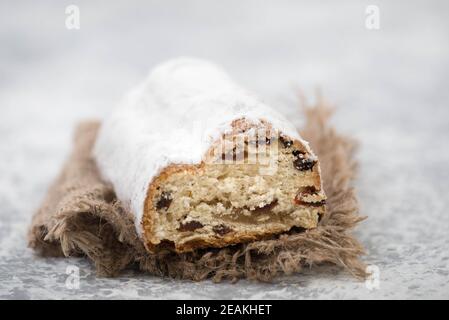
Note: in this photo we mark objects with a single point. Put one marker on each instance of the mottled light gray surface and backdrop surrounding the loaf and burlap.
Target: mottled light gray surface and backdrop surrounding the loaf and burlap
(390, 86)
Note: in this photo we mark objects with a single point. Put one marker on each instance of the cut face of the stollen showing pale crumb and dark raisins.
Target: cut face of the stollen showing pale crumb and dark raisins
(252, 184)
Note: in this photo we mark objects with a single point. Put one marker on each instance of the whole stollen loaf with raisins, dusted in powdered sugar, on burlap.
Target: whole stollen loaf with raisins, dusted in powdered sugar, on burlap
(201, 162)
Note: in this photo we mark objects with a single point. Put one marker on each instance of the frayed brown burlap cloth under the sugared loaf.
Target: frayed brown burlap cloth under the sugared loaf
(80, 215)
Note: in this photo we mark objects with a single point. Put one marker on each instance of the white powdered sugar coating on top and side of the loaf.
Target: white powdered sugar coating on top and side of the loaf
(172, 118)
